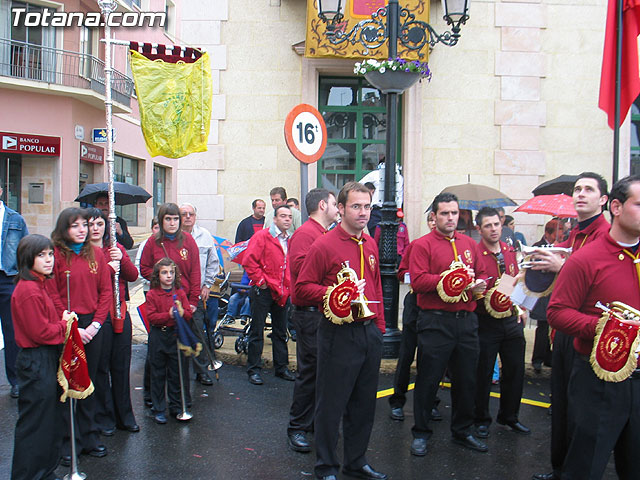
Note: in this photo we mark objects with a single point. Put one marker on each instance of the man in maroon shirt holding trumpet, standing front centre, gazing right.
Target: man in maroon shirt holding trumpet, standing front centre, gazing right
(348, 353)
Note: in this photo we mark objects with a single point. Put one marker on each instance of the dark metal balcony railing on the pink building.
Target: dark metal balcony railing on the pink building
(61, 67)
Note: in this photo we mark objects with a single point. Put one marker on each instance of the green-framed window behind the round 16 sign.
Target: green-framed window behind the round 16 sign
(356, 118)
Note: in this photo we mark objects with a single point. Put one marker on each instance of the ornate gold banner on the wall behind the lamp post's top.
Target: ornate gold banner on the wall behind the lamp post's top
(318, 45)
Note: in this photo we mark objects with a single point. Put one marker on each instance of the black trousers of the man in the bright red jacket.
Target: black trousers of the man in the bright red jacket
(263, 303)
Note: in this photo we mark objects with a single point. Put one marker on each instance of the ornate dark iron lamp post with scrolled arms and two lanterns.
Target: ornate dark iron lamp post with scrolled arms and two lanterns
(400, 26)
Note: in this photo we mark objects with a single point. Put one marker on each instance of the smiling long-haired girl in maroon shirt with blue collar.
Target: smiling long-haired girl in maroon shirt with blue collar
(90, 295)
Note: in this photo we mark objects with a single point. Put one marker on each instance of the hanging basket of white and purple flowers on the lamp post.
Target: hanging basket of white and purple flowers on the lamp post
(393, 75)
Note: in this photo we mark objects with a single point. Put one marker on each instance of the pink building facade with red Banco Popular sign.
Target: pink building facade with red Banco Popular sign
(52, 95)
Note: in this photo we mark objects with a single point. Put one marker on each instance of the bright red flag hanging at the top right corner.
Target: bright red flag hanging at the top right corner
(630, 78)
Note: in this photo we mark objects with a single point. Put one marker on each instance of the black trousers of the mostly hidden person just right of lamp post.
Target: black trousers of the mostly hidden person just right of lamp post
(408, 345)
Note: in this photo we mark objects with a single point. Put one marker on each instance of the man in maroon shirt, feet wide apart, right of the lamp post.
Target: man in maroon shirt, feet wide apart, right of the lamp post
(447, 330)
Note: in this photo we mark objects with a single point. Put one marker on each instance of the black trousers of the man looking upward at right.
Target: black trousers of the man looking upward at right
(563, 357)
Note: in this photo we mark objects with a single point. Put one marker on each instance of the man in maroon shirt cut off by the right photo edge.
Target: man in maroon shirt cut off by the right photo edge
(605, 415)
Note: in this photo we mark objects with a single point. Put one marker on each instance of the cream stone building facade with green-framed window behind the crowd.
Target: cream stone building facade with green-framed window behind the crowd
(512, 105)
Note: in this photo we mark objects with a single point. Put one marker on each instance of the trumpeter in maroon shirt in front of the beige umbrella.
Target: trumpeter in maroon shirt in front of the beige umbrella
(498, 332)
